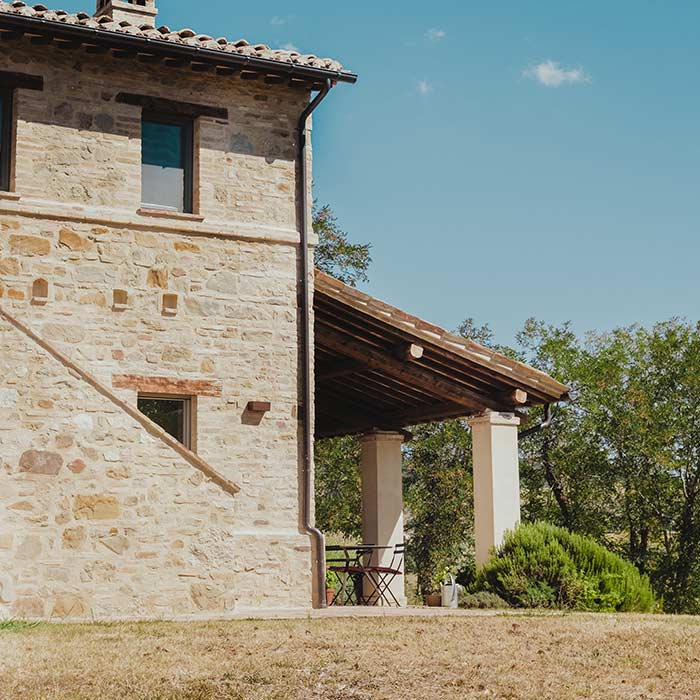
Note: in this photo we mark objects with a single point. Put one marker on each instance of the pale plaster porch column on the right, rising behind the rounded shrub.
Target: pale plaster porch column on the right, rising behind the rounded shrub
(496, 480)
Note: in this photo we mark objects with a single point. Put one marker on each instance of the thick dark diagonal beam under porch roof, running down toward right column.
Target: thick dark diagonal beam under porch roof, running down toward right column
(382, 361)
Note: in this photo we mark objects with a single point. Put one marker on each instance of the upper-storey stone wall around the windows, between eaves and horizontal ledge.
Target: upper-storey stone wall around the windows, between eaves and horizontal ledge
(246, 166)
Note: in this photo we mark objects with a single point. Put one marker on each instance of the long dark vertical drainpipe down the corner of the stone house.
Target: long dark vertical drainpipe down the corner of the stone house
(317, 538)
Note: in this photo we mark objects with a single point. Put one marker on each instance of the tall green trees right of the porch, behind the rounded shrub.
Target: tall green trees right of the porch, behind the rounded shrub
(622, 461)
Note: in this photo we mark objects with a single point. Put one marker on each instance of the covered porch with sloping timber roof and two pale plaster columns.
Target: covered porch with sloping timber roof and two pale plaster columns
(380, 370)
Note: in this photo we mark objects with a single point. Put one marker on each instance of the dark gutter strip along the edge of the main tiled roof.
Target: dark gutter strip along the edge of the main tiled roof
(147, 45)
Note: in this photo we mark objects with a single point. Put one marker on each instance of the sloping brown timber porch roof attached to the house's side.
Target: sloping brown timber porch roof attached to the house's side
(378, 367)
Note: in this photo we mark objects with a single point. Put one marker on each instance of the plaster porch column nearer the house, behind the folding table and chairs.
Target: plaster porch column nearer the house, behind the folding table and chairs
(382, 500)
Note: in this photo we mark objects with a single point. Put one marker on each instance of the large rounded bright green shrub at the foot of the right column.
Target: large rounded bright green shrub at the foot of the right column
(544, 566)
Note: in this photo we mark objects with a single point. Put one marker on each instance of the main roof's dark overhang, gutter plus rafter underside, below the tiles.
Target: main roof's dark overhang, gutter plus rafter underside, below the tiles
(149, 50)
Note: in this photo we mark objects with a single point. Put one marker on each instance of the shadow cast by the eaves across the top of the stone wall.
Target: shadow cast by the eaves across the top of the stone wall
(259, 131)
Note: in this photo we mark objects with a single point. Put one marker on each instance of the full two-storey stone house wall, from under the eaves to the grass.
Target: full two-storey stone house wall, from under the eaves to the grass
(97, 517)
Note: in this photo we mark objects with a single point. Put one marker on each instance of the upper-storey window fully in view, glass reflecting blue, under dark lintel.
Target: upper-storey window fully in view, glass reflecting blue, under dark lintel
(167, 162)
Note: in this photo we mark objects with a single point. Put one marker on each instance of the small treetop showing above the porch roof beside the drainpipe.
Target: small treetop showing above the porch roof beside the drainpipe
(335, 254)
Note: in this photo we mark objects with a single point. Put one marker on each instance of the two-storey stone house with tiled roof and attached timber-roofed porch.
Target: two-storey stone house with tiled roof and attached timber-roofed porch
(157, 337)
